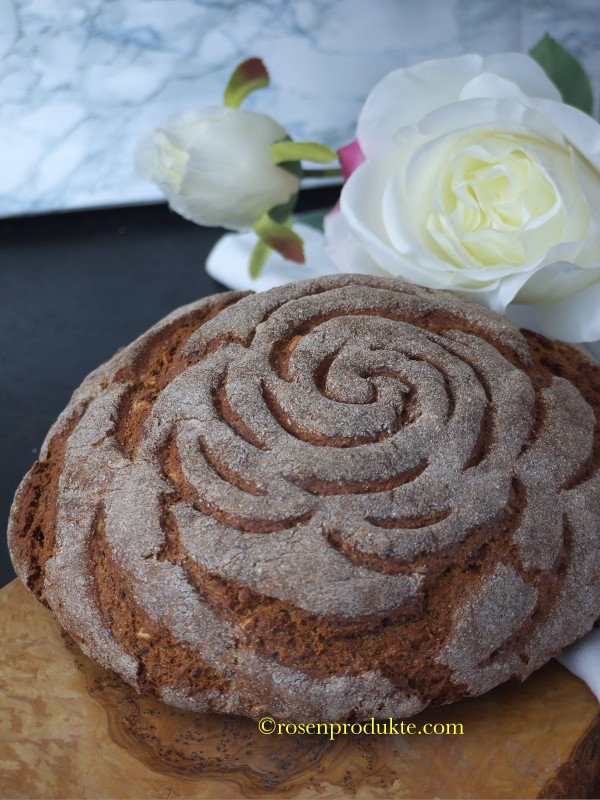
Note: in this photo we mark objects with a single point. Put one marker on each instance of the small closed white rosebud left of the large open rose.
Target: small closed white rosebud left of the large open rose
(216, 166)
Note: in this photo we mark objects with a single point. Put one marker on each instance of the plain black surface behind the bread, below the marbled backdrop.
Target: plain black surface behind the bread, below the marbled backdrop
(73, 289)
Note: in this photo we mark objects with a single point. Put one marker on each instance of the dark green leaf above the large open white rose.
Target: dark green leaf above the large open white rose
(565, 71)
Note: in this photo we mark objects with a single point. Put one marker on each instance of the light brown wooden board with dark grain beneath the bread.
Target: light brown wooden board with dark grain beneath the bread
(71, 729)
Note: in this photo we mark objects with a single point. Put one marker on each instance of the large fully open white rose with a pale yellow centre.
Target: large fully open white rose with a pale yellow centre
(478, 179)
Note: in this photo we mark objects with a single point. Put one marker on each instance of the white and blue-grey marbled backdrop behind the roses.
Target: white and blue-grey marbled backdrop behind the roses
(81, 80)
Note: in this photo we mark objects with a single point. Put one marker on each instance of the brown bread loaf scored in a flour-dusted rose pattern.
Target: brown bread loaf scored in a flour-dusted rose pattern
(341, 498)
